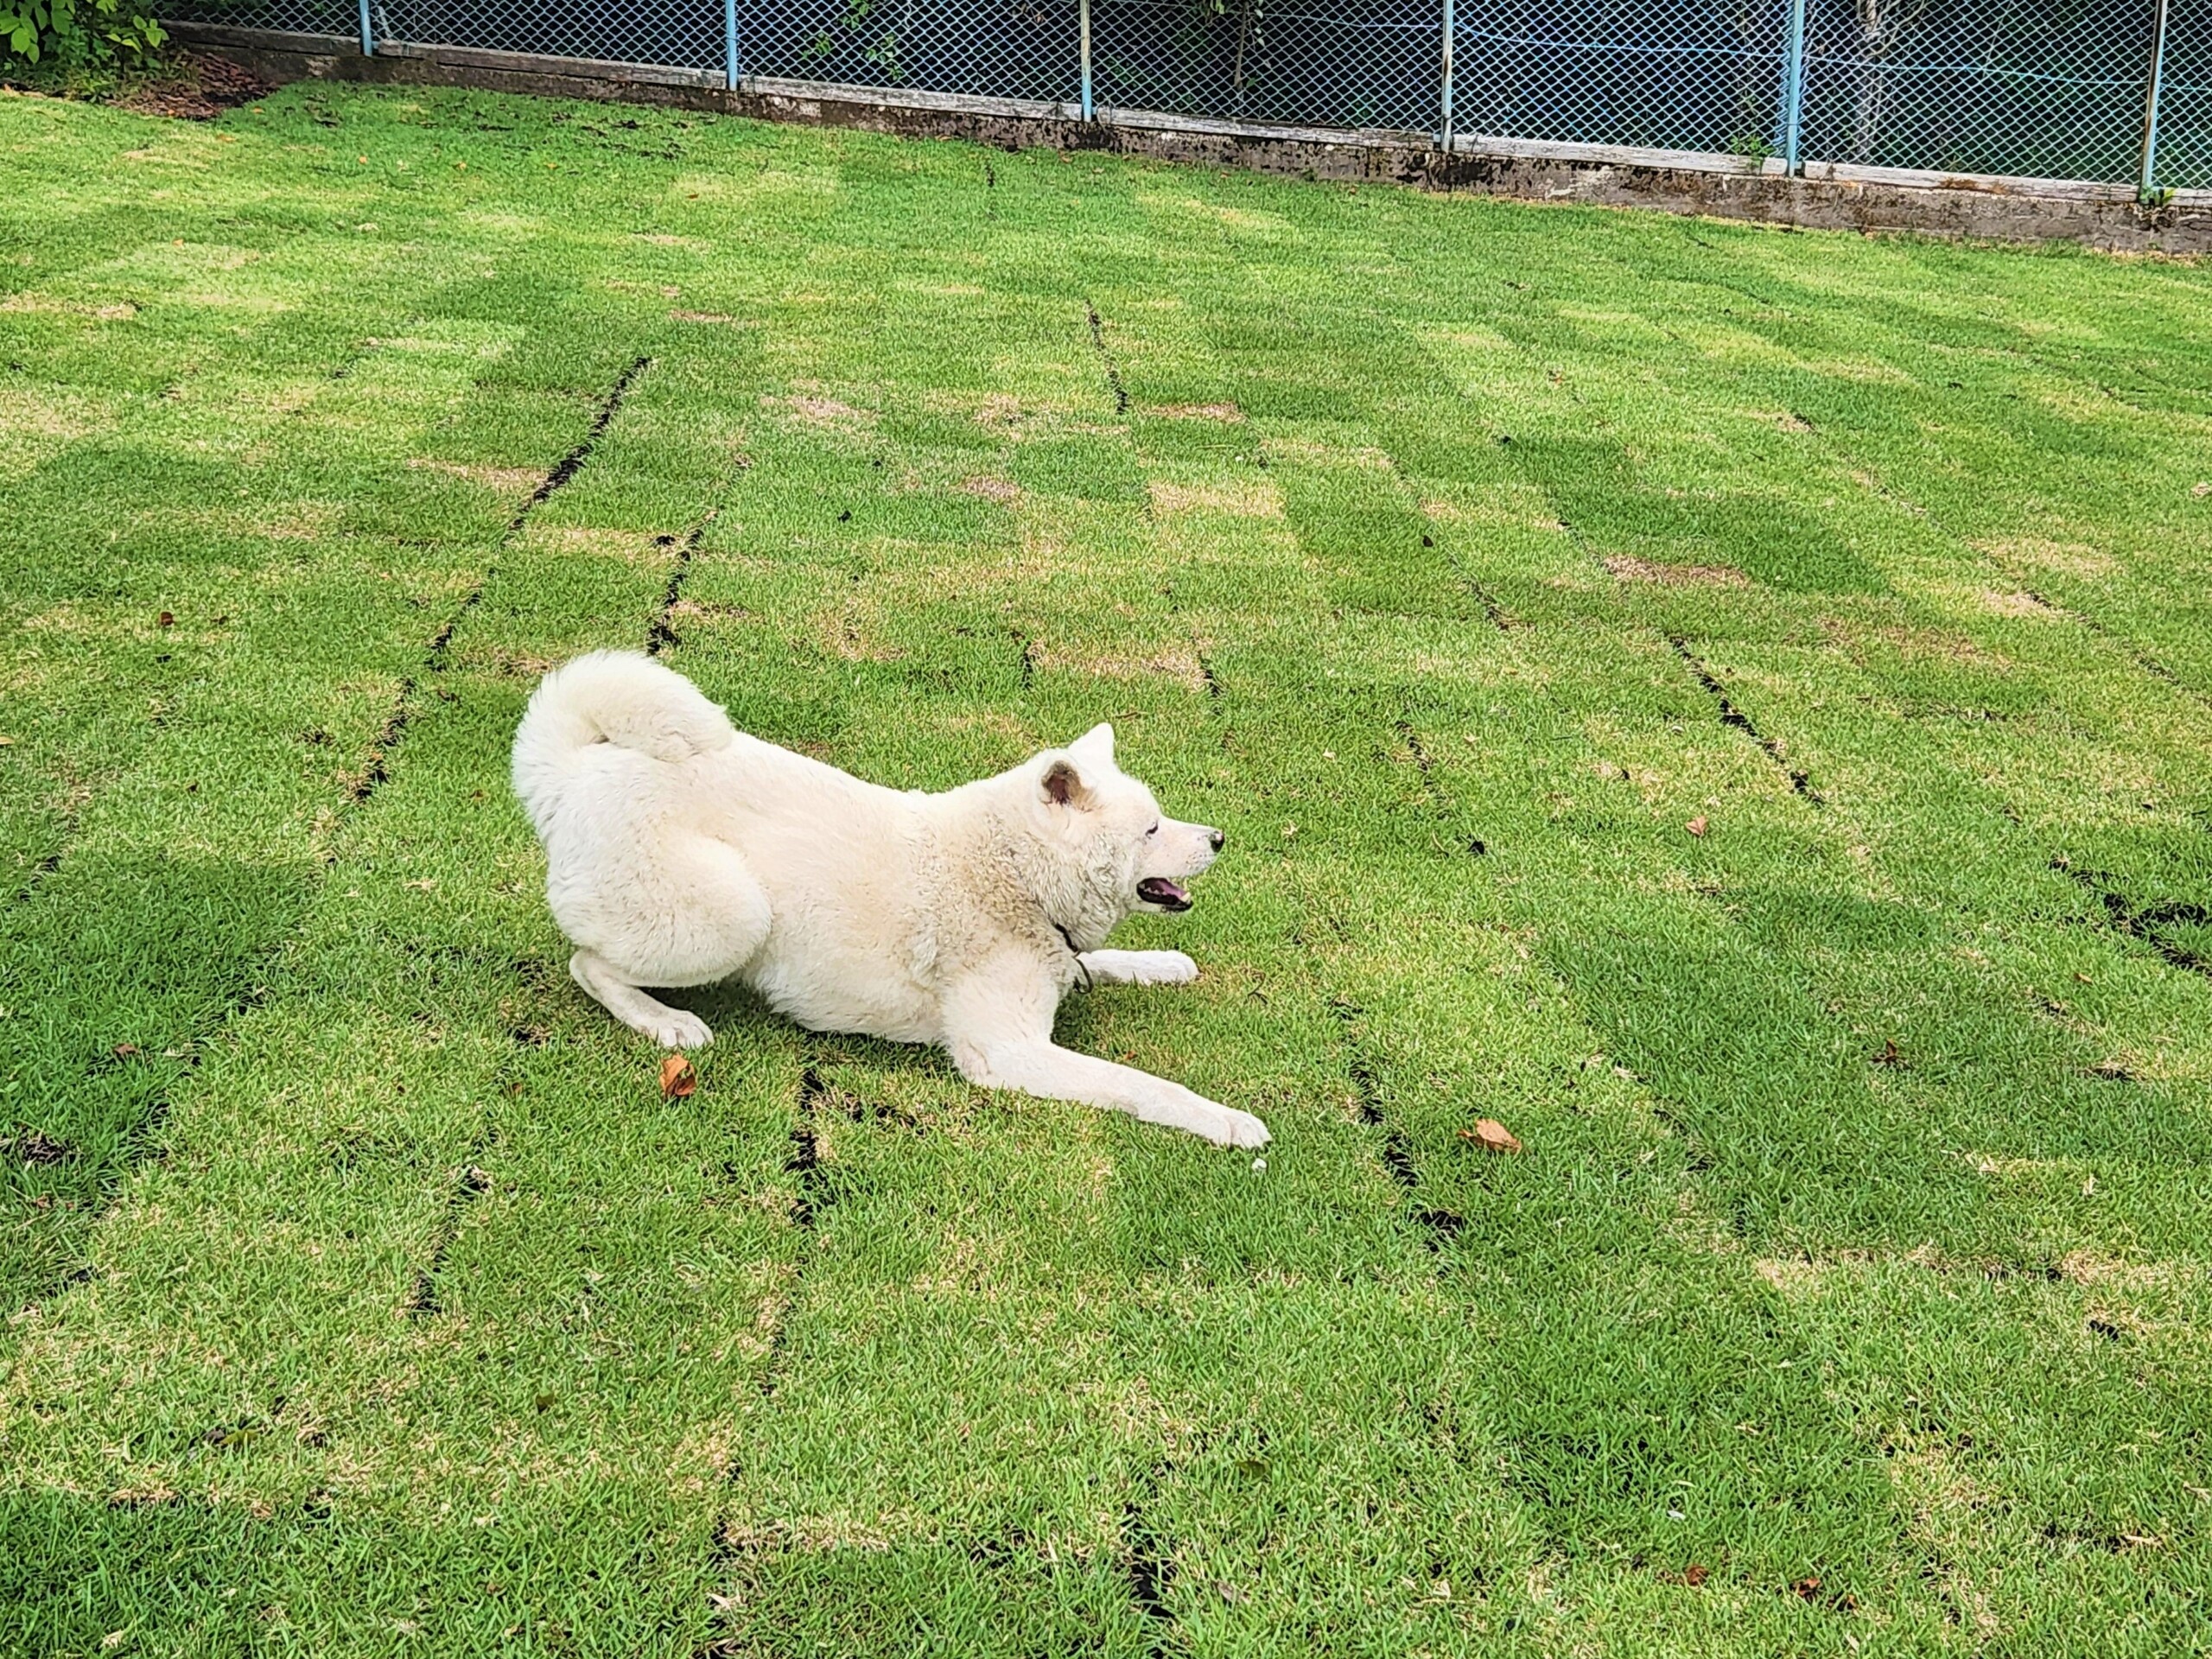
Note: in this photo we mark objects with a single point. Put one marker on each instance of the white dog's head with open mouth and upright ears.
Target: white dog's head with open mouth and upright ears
(1129, 857)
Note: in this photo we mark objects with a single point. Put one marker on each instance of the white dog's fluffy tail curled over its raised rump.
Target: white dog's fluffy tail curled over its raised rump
(614, 698)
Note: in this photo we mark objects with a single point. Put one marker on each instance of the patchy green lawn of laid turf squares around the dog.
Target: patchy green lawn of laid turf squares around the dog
(1733, 707)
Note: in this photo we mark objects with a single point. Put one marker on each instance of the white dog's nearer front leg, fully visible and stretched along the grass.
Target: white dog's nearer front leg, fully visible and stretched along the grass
(1001, 1036)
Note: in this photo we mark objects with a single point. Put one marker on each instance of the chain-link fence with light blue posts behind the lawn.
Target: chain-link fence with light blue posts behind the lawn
(2111, 92)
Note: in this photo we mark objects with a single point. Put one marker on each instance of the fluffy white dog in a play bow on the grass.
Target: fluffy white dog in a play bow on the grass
(685, 853)
